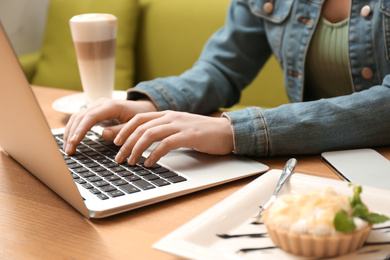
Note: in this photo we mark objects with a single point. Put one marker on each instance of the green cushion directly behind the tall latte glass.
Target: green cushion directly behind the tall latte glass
(57, 65)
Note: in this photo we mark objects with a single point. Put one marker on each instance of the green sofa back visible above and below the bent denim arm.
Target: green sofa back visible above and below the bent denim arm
(171, 37)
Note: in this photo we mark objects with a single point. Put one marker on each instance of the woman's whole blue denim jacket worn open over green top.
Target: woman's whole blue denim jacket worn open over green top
(234, 55)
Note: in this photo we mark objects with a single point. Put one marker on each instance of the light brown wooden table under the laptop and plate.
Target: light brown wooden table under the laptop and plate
(36, 224)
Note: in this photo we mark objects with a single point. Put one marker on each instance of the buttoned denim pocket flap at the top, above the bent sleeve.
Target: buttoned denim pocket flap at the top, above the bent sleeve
(281, 9)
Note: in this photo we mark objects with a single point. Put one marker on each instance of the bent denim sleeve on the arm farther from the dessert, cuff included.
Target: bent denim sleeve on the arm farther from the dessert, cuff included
(229, 61)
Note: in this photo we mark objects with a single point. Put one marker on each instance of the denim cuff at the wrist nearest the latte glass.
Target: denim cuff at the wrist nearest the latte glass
(156, 93)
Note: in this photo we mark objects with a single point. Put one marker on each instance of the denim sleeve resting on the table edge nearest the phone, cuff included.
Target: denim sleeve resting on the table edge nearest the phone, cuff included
(352, 121)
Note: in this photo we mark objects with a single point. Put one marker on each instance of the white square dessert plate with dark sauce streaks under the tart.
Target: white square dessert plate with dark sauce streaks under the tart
(198, 238)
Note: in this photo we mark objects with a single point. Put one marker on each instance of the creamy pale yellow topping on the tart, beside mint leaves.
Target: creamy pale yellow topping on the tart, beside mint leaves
(311, 213)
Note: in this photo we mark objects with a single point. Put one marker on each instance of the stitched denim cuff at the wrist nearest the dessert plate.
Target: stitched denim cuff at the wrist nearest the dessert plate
(250, 135)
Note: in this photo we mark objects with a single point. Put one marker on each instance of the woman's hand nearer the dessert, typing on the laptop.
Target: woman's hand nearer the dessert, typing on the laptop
(173, 130)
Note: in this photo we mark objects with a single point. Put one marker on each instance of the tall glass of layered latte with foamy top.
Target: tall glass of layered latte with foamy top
(94, 37)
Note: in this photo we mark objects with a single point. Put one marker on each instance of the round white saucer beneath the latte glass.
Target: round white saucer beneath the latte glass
(74, 103)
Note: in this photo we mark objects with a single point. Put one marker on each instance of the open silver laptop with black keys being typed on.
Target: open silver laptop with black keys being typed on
(111, 189)
